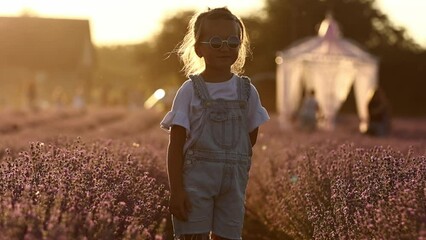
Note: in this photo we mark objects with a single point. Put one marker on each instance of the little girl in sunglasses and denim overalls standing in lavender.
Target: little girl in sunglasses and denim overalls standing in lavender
(213, 126)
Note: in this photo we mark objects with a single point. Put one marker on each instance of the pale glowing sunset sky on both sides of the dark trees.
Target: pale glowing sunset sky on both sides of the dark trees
(132, 21)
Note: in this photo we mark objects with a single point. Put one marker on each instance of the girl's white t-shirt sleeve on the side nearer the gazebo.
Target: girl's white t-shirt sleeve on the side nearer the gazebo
(257, 114)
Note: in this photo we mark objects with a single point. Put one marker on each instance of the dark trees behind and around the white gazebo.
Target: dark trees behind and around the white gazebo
(288, 21)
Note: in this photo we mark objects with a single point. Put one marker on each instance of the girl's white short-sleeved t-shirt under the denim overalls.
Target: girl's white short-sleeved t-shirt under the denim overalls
(187, 110)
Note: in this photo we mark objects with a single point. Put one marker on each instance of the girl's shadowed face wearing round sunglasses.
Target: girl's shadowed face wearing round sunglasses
(222, 58)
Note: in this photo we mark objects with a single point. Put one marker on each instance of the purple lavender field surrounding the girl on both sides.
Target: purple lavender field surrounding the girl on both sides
(100, 174)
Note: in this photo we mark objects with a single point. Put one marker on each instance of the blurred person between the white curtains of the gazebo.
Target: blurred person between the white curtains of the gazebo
(309, 112)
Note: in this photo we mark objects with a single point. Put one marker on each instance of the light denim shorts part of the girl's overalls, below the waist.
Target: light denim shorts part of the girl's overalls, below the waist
(216, 189)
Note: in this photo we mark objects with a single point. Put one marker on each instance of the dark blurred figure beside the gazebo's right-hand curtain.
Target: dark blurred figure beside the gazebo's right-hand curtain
(379, 123)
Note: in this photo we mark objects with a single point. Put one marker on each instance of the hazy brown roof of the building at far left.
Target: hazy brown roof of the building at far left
(43, 43)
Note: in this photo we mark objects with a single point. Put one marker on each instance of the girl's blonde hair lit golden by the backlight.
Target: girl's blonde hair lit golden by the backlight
(192, 63)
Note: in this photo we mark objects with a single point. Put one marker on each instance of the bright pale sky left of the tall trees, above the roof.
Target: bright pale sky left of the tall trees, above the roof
(119, 22)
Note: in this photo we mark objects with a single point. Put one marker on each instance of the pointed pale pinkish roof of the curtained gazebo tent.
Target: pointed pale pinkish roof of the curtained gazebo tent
(328, 43)
